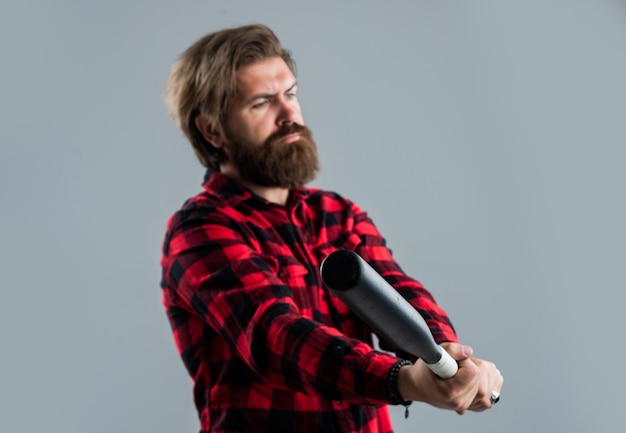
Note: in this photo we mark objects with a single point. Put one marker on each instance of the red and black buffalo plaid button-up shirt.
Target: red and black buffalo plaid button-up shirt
(268, 347)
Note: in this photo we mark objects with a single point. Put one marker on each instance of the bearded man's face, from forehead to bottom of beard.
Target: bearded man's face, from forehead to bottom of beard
(265, 136)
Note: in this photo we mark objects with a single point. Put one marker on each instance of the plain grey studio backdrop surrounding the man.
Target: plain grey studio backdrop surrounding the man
(485, 138)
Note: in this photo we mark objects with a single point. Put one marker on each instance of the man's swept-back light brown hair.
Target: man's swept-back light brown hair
(203, 80)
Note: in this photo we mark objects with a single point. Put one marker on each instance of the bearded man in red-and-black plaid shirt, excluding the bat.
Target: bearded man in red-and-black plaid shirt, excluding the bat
(269, 348)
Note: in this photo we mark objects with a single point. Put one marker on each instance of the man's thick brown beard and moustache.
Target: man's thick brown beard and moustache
(274, 163)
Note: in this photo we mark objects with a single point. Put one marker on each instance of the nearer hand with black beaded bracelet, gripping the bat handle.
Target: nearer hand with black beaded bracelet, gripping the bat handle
(459, 393)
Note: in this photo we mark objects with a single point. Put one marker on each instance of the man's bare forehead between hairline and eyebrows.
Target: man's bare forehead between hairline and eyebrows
(269, 75)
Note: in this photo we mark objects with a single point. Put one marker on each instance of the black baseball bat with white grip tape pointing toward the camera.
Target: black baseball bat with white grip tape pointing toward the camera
(381, 307)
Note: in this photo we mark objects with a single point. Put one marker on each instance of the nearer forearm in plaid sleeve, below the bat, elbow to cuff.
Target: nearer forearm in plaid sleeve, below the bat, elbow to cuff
(296, 353)
